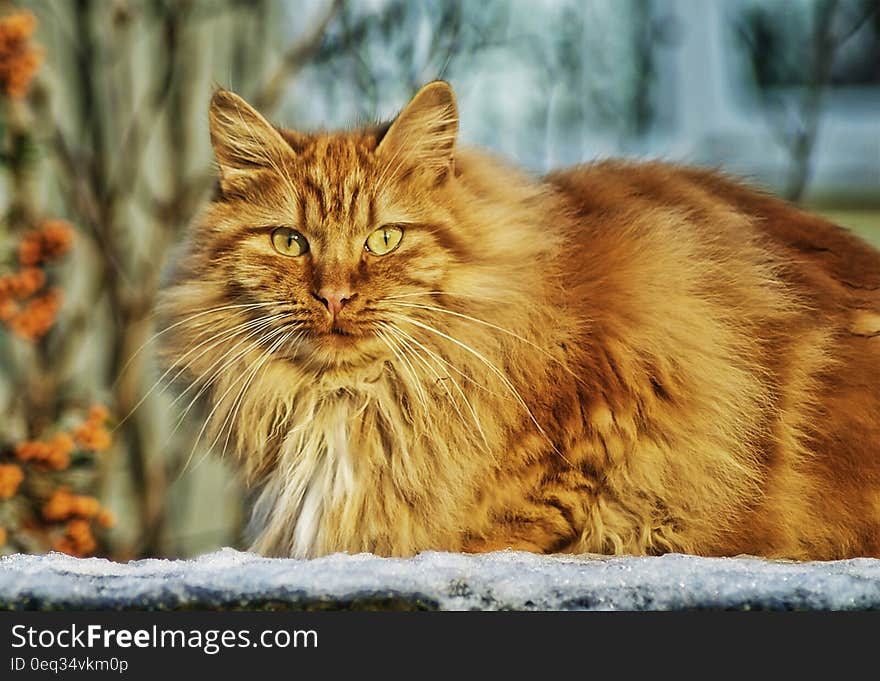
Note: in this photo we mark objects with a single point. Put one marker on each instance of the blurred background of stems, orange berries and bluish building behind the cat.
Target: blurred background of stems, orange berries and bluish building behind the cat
(105, 158)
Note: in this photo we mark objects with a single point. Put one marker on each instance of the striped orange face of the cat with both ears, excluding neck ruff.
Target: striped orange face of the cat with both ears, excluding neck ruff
(319, 231)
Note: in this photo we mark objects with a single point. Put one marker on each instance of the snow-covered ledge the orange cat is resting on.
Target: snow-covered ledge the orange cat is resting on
(232, 580)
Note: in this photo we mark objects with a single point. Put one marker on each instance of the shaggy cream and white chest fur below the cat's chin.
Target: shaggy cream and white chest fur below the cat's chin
(353, 449)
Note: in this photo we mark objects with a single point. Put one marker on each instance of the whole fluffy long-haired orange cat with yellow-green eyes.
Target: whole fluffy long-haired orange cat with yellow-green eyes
(408, 346)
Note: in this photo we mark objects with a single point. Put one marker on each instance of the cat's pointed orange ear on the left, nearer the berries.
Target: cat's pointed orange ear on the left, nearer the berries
(243, 140)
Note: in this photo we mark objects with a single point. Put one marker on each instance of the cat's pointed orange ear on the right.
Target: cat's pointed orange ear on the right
(425, 131)
